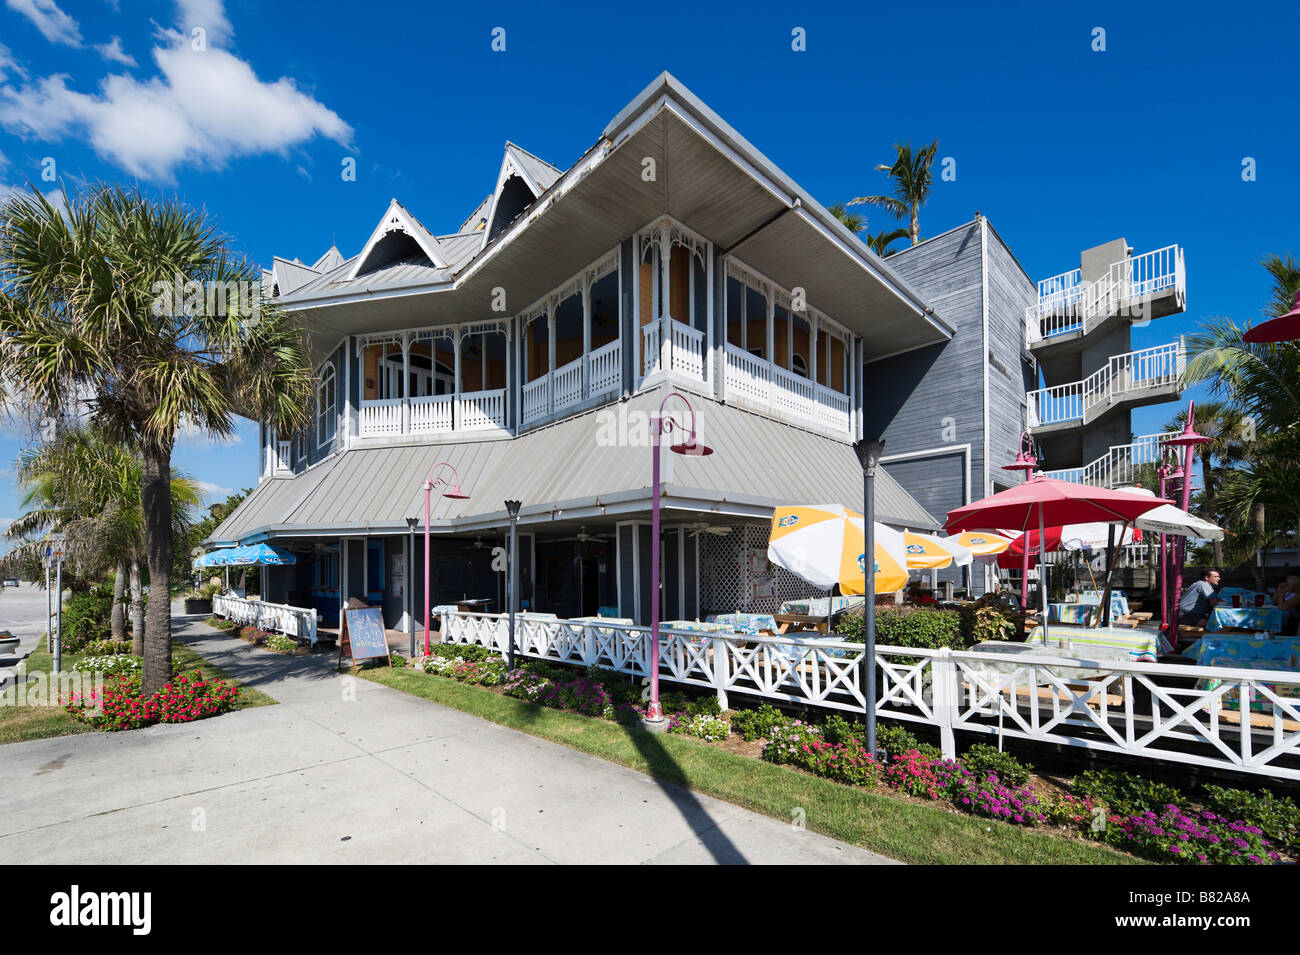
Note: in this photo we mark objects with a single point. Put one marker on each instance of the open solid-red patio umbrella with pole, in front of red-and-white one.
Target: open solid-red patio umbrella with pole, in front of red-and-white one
(1043, 502)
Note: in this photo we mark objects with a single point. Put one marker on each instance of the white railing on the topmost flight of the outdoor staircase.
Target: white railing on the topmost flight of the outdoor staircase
(1069, 305)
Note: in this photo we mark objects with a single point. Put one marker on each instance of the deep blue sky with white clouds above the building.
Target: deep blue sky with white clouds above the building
(1061, 146)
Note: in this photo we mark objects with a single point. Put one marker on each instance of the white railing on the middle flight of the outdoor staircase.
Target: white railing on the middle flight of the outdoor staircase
(1124, 375)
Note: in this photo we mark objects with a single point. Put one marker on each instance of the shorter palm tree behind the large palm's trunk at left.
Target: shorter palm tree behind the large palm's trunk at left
(89, 488)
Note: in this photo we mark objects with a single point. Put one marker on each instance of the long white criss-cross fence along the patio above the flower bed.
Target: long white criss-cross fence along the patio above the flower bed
(1176, 714)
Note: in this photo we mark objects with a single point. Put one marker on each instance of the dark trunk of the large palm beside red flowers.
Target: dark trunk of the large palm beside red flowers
(157, 502)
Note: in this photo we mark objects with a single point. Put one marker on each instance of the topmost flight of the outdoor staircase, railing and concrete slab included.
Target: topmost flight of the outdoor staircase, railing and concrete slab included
(1136, 290)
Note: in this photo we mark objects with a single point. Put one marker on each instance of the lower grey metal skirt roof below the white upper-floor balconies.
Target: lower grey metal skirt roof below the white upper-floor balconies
(575, 468)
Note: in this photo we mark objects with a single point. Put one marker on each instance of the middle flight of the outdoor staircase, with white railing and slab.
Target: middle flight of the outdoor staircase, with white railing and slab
(1149, 376)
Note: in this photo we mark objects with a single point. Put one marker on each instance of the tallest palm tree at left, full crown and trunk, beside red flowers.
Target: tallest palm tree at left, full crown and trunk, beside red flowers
(88, 323)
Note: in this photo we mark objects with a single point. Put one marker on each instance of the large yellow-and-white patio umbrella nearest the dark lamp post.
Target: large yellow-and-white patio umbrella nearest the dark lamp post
(822, 544)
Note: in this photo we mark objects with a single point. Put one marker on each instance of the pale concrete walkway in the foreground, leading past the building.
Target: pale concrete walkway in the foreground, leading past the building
(348, 771)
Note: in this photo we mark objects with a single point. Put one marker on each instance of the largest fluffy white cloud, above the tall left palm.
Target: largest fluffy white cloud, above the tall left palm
(205, 108)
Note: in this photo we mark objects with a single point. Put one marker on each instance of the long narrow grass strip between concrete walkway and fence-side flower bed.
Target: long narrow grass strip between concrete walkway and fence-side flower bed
(873, 819)
